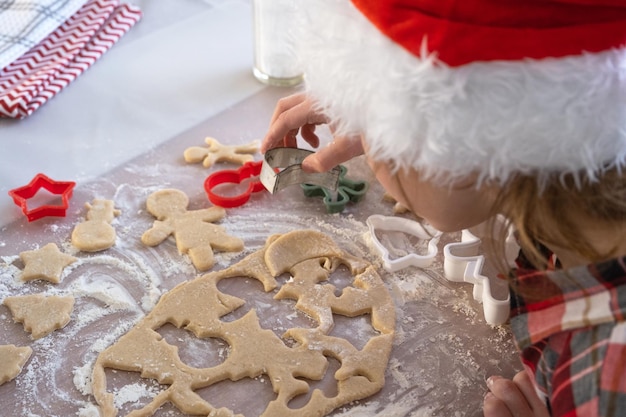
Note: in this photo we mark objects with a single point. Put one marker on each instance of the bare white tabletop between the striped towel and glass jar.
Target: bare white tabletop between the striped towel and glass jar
(185, 61)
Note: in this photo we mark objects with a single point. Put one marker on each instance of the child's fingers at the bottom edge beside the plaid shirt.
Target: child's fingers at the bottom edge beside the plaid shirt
(513, 398)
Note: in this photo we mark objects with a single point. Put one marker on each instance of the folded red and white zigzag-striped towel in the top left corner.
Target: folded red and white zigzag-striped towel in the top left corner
(47, 68)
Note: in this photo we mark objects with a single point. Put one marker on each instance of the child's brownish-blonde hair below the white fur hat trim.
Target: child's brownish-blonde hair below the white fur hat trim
(550, 214)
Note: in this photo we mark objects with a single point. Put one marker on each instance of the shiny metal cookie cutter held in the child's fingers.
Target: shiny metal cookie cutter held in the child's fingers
(282, 167)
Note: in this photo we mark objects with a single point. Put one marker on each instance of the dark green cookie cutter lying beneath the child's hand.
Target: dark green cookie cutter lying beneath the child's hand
(347, 191)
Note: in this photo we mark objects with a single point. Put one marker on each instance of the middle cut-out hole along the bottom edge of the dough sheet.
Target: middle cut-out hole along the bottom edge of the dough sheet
(247, 394)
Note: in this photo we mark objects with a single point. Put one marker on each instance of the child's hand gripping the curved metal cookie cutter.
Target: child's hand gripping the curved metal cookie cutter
(296, 113)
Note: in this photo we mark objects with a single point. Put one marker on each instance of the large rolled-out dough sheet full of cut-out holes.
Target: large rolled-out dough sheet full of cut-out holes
(198, 305)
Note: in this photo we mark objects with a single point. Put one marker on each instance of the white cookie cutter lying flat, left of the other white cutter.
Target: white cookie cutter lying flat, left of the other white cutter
(408, 227)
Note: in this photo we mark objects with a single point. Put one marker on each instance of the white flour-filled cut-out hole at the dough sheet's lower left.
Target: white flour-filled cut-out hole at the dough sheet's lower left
(130, 391)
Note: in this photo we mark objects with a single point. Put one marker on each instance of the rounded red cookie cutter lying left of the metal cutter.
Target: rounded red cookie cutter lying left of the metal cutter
(247, 170)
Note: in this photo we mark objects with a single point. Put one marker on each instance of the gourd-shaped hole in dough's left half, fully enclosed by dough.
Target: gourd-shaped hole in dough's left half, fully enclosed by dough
(195, 352)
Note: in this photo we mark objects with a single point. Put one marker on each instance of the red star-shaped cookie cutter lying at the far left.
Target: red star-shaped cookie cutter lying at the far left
(21, 196)
